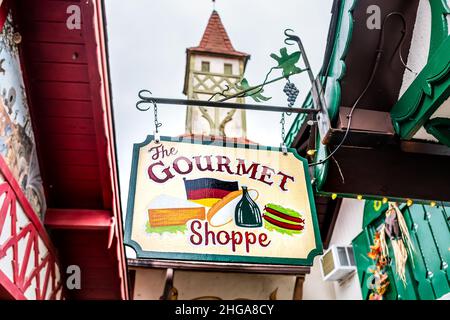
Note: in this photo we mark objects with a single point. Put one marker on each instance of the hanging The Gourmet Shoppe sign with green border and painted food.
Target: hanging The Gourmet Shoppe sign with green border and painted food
(221, 202)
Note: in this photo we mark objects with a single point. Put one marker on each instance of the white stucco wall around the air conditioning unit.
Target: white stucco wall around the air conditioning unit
(348, 226)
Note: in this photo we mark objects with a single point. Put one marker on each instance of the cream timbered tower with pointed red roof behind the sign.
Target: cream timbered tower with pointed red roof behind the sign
(211, 67)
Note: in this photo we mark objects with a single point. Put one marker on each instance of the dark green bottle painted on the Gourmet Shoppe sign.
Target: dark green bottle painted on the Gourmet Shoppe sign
(247, 213)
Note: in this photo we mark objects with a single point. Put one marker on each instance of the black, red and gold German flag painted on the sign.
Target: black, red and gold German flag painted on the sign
(208, 191)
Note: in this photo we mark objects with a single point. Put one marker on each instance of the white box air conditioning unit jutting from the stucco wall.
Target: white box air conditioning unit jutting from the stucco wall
(337, 263)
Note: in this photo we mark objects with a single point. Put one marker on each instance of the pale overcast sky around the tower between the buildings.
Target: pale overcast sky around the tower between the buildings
(147, 50)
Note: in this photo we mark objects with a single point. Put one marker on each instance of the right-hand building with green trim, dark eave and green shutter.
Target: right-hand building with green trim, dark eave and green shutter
(387, 87)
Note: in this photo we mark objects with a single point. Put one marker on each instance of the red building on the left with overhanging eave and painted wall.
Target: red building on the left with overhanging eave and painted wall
(60, 219)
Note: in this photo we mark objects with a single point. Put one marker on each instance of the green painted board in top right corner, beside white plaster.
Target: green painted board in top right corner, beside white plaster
(439, 24)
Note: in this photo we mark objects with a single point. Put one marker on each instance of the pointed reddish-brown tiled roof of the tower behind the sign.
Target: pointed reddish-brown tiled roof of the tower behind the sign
(215, 39)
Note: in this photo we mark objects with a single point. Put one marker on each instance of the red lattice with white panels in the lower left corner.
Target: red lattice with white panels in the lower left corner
(34, 273)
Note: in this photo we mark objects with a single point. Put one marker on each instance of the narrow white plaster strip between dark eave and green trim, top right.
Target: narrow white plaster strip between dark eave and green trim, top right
(420, 45)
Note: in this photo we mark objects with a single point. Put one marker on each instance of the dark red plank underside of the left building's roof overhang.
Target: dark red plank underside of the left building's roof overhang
(62, 105)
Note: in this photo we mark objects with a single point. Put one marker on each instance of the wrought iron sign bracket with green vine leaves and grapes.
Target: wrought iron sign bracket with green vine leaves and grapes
(287, 63)
